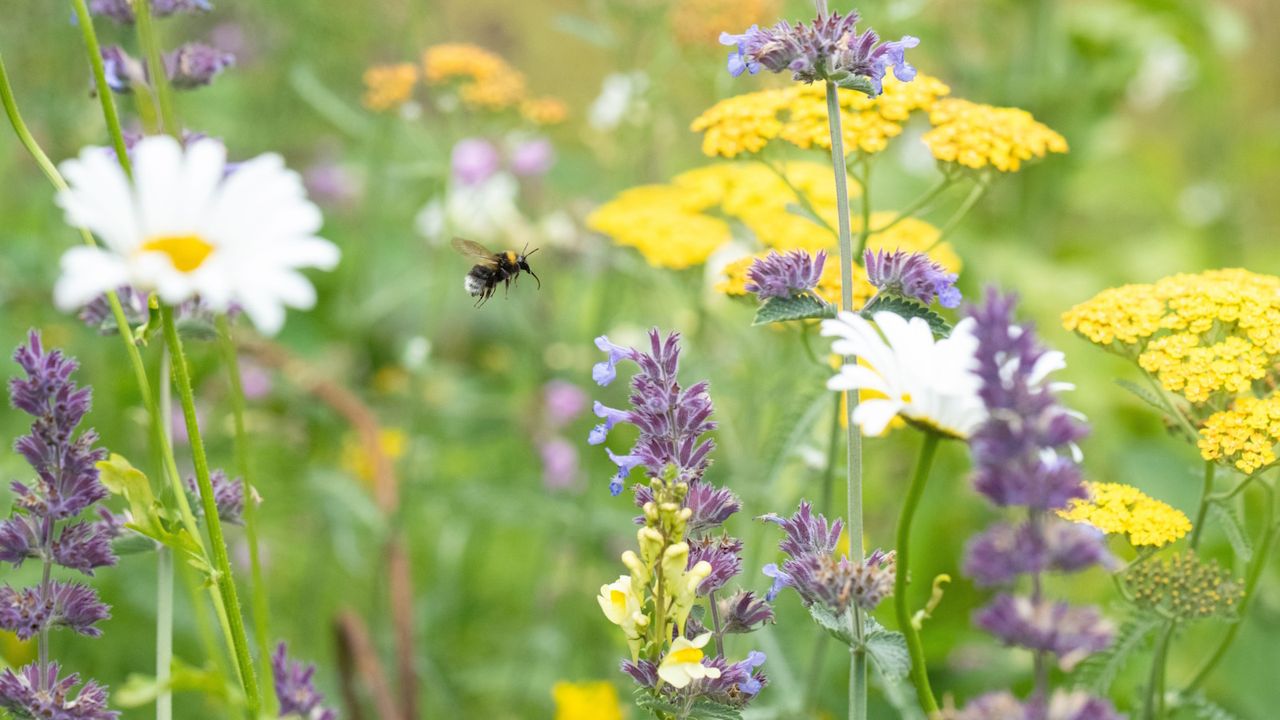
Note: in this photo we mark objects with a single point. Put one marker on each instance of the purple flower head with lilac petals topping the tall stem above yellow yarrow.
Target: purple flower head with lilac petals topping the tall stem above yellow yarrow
(828, 48)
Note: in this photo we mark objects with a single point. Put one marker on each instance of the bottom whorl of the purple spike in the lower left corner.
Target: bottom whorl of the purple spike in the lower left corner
(36, 692)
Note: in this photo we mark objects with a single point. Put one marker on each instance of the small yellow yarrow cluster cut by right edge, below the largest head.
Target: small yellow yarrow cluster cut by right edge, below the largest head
(1245, 435)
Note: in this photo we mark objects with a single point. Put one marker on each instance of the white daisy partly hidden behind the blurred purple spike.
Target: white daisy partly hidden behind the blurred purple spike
(930, 382)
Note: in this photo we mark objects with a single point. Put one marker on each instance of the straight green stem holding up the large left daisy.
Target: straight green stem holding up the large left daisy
(259, 589)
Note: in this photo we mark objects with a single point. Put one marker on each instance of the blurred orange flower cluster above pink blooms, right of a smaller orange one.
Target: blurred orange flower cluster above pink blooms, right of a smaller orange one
(486, 81)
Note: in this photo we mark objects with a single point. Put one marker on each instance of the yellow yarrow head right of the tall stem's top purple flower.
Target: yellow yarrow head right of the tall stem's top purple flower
(979, 136)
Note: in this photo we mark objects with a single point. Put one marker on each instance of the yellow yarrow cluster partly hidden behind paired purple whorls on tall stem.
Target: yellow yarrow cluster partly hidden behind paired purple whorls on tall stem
(911, 235)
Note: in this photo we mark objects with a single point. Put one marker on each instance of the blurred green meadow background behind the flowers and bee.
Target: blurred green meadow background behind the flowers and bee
(1173, 113)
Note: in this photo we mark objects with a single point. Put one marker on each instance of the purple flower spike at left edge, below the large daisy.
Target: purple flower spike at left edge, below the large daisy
(44, 528)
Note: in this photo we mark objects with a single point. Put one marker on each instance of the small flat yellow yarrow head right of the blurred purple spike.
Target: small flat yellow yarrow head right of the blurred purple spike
(1119, 509)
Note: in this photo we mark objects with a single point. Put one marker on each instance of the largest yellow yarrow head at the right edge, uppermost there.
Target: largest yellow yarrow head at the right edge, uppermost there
(1208, 336)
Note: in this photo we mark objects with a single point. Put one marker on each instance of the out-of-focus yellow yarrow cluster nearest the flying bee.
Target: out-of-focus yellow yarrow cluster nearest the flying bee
(683, 224)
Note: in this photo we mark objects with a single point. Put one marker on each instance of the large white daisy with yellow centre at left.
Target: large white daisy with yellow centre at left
(186, 227)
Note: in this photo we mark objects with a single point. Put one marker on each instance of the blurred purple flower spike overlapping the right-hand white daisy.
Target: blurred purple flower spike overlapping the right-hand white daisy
(1025, 457)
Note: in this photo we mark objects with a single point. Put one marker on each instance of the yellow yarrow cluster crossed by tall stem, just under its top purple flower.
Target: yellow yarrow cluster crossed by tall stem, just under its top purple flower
(798, 116)
